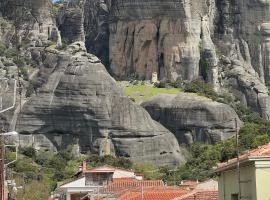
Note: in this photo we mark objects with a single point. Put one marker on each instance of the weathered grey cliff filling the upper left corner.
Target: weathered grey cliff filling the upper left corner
(33, 20)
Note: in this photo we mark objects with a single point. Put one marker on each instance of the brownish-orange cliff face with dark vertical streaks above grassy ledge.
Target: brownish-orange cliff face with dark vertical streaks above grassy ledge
(159, 36)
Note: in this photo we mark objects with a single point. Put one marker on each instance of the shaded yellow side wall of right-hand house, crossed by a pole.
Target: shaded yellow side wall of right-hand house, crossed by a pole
(228, 183)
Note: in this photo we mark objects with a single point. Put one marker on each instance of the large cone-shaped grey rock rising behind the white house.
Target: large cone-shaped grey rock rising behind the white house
(80, 103)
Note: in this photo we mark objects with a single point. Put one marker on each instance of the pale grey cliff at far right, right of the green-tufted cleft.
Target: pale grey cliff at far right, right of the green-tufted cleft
(243, 29)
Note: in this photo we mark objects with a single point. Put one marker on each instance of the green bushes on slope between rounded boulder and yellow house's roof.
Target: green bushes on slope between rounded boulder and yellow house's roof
(254, 132)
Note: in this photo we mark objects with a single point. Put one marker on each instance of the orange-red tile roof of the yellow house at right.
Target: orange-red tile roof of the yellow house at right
(261, 152)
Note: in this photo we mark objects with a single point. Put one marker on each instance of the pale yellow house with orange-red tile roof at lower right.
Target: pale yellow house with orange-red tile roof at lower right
(251, 181)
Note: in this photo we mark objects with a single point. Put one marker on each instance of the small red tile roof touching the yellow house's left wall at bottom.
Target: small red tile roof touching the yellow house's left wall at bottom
(200, 195)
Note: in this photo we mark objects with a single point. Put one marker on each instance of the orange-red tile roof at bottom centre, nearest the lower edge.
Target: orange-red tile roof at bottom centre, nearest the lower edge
(153, 194)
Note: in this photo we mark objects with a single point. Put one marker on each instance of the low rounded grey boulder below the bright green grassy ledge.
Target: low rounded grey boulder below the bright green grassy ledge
(193, 118)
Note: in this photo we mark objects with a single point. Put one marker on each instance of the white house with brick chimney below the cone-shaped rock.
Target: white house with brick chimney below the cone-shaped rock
(92, 180)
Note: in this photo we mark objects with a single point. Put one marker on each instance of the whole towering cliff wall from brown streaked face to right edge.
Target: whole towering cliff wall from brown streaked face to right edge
(223, 42)
